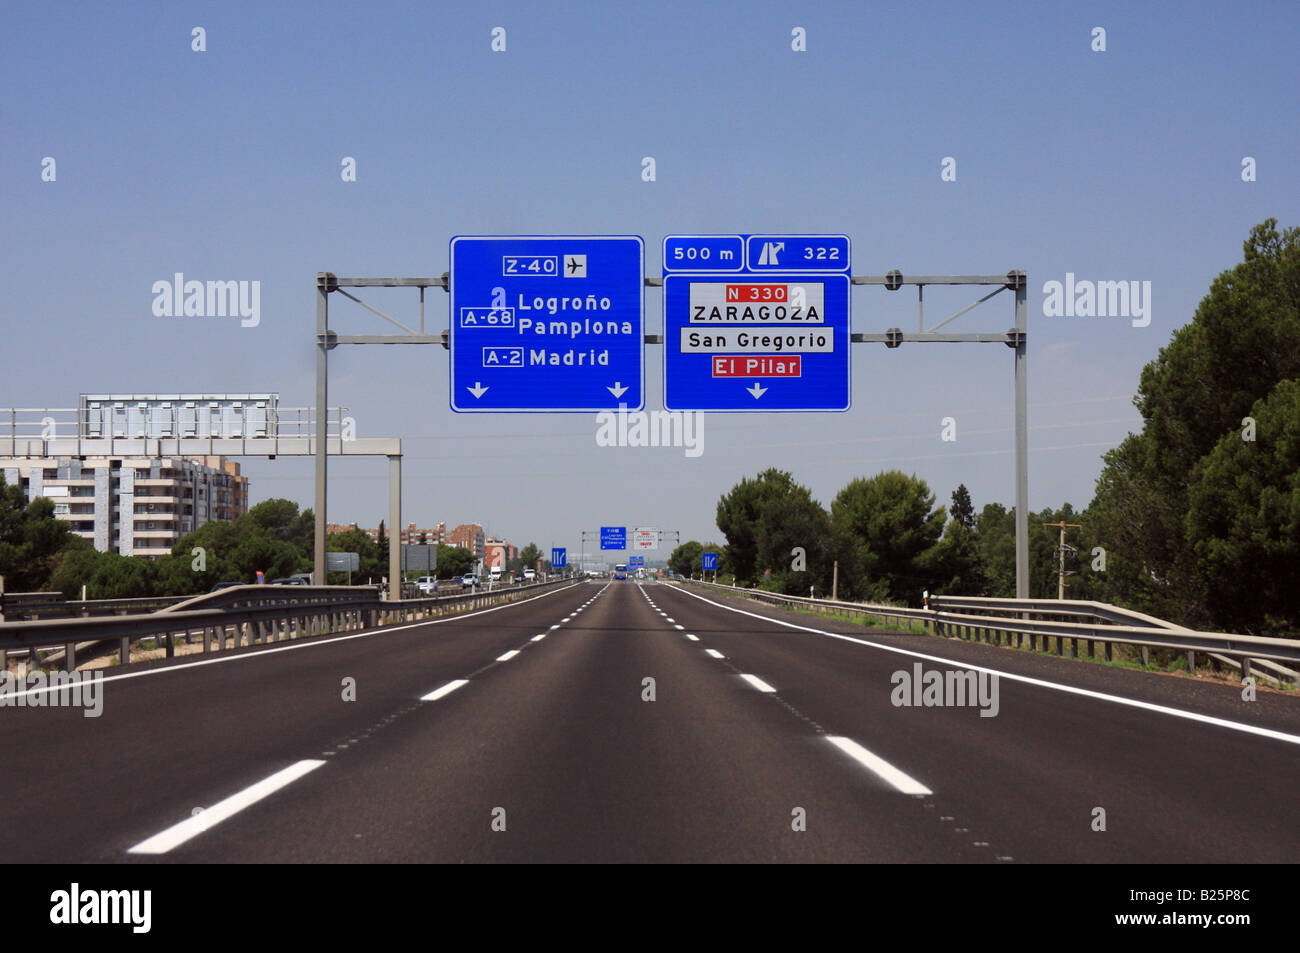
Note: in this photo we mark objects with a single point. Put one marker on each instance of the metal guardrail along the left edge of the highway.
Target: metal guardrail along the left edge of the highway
(252, 616)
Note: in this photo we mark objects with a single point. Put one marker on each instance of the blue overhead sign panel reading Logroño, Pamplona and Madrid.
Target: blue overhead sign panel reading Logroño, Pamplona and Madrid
(547, 324)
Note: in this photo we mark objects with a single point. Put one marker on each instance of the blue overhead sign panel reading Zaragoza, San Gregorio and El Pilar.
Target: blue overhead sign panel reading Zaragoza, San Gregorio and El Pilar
(770, 339)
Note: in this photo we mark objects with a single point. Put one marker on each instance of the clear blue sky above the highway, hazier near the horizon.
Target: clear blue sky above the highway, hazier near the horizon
(226, 166)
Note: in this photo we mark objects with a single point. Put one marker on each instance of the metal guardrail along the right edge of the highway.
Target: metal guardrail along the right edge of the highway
(995, 620)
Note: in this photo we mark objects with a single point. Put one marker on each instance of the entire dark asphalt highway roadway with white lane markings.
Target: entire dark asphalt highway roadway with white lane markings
(527, 734)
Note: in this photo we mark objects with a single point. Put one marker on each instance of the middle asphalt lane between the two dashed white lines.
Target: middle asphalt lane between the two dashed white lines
(565, 743)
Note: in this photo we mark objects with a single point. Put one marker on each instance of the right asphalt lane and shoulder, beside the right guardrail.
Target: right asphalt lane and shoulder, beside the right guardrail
(1030, 779)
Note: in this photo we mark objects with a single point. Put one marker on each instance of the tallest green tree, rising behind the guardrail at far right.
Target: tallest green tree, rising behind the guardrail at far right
(1243, 343)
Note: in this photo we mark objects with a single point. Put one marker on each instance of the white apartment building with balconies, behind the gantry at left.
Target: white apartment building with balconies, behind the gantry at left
(135, 505)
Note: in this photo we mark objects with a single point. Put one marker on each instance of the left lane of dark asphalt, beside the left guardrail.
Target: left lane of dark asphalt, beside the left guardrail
(172, 739)
